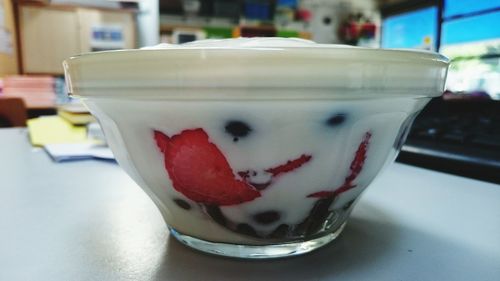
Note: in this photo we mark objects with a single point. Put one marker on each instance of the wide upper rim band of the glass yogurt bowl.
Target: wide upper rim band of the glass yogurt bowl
(337, 69)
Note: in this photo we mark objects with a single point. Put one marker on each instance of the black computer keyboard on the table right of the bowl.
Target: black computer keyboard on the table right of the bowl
(457, 136)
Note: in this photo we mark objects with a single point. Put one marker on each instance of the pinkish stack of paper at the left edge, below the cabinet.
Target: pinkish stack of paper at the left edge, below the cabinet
(36, 91)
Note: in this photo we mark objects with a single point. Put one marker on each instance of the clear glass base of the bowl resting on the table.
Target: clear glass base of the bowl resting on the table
(256, 251)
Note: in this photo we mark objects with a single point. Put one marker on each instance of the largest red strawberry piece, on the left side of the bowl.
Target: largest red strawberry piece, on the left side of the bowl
(200, 171)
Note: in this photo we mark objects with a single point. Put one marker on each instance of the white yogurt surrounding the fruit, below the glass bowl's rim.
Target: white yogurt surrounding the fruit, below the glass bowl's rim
(282, 130)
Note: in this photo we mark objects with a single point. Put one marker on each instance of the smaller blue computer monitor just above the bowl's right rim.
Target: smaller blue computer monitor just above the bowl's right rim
(415, 29)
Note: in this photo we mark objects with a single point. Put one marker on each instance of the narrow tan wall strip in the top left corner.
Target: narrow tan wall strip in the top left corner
(8, 53)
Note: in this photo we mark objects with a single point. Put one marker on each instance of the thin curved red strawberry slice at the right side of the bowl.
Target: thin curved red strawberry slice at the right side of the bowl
(355, 168)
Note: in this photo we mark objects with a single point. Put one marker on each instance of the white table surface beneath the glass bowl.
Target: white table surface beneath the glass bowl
(88, 221)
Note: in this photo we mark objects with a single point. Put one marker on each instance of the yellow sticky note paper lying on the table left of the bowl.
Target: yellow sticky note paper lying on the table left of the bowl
(54, 129)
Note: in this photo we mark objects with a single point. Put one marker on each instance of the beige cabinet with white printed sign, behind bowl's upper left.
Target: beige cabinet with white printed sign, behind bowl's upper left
(49, 34)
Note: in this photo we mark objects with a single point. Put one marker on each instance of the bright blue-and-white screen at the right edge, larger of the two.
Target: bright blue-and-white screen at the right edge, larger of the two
(470, 38)
